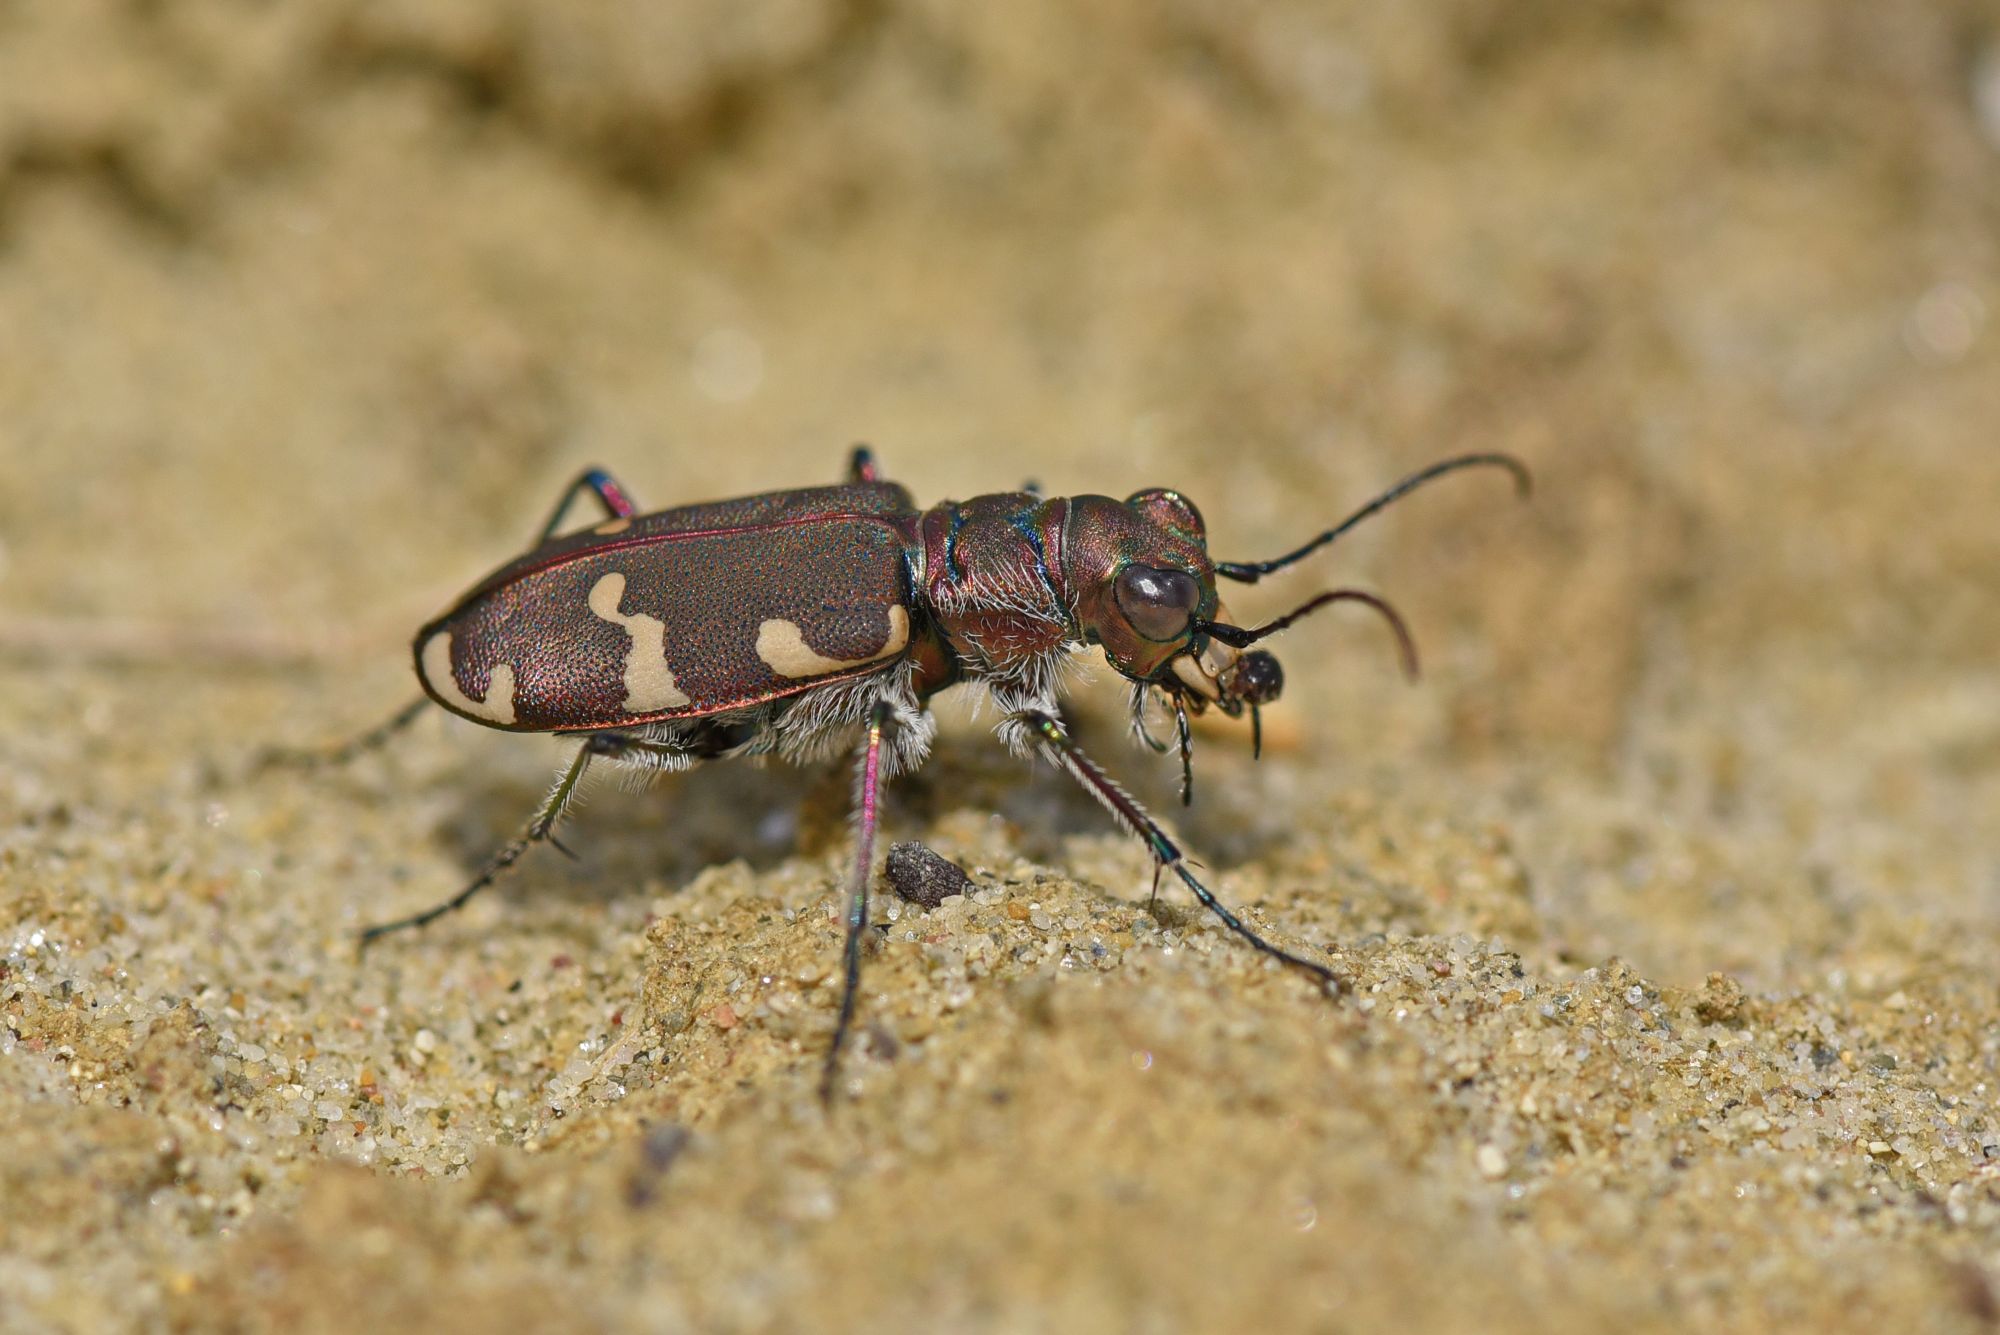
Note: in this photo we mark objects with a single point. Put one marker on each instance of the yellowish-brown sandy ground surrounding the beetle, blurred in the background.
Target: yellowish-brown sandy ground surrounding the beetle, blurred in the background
(1669, 894)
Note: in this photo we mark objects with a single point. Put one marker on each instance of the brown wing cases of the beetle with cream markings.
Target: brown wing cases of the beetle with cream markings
(673, 625)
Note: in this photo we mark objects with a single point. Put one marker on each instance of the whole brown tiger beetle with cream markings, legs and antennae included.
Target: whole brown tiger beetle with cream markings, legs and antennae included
(821, 621)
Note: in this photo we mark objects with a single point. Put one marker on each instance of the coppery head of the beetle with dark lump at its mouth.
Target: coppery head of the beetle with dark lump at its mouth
(1147, 595)
